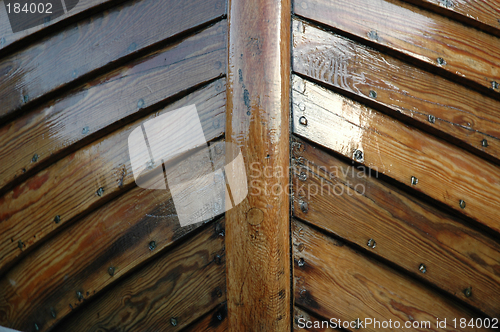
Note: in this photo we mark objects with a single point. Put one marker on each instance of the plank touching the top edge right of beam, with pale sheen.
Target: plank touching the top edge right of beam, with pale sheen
(442, 44)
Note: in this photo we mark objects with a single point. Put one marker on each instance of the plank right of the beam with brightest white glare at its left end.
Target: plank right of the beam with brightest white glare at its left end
(446, 173)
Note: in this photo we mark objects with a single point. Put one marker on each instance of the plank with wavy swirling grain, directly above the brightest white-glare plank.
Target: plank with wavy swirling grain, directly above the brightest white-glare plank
(443, 107)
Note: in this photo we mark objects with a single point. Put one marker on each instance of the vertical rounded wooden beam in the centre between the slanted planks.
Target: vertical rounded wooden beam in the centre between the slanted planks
(258, 113)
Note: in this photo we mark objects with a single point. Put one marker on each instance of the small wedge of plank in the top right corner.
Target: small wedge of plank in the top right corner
(483, 15)
